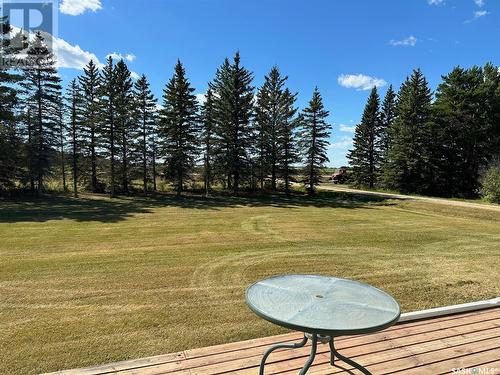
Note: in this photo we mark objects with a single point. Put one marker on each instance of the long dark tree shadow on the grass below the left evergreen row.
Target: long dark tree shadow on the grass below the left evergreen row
(103, 209)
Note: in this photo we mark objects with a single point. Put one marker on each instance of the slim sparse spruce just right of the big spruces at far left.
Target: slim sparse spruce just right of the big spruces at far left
(74, 102)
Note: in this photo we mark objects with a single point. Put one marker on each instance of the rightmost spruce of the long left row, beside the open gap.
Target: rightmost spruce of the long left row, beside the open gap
(314, 140)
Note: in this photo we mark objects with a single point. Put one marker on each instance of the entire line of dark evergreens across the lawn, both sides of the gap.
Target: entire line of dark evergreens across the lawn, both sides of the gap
(104, 132)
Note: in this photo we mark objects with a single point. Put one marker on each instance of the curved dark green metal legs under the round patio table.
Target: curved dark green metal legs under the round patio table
(314, 345)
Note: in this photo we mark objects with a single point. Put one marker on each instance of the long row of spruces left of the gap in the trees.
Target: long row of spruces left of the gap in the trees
(106, 131)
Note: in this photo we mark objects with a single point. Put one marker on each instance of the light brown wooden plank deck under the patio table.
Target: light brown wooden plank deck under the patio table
(431, 346)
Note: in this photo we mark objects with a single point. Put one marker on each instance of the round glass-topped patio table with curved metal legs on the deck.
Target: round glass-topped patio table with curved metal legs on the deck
(323, 308)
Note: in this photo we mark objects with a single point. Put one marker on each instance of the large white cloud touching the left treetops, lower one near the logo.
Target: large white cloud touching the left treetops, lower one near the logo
(67, 55)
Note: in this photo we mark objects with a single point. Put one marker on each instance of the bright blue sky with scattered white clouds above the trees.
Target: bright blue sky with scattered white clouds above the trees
(343, 47)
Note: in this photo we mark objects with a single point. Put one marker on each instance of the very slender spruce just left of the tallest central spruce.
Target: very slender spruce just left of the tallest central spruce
(207, 136)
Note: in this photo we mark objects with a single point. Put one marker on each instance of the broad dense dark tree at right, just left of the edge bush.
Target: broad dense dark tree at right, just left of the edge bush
(463, 132)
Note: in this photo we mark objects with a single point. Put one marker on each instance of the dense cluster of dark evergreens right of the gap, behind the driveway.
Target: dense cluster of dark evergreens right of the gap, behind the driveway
(439, 144)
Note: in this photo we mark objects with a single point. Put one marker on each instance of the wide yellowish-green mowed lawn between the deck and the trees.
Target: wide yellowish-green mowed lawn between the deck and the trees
(95, 280)
